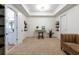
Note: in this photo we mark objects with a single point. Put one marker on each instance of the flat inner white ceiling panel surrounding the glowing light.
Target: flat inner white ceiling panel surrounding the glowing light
(32, 8)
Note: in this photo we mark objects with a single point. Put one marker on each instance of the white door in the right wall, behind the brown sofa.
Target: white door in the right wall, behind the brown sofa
(63, 24)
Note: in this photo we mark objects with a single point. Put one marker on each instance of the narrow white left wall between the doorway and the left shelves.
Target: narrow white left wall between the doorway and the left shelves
(21, 33)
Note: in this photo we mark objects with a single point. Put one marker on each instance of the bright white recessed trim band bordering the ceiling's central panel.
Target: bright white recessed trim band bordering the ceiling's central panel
(54, 13)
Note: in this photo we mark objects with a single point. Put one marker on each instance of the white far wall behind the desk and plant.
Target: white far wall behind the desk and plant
(48, 22)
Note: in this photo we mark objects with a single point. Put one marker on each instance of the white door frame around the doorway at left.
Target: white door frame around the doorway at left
(16, 22)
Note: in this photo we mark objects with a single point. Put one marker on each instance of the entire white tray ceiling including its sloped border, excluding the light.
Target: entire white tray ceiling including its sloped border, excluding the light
(54, 9)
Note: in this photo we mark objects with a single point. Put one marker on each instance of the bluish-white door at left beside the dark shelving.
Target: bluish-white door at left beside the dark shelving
(10, 27)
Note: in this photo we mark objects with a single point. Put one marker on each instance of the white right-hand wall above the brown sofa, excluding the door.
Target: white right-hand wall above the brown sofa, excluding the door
(72, 17)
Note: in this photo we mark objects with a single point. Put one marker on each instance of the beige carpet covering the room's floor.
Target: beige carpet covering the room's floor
(33, 46)
